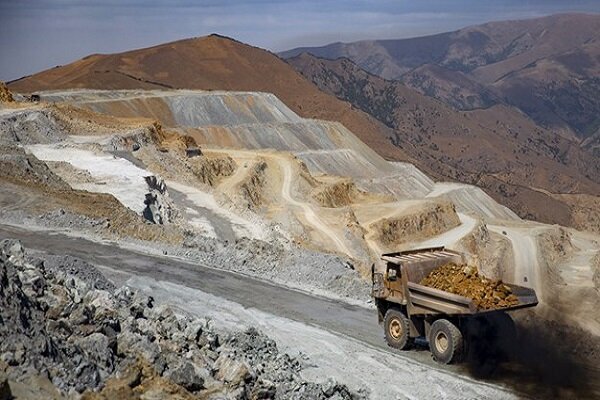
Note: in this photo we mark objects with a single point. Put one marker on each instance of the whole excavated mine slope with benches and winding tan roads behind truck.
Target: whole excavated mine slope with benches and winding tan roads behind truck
(271, 193)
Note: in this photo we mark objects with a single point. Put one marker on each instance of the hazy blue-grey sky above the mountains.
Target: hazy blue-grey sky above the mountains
(40, 34)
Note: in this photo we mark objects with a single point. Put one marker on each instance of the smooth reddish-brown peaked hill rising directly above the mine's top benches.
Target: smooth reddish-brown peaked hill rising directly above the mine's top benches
(211, 63)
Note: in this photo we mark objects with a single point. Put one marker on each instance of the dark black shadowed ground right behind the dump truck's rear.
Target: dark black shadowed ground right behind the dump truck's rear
(544, 359)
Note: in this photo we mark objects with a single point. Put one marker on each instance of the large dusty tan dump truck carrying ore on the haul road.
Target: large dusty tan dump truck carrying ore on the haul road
(413, 313)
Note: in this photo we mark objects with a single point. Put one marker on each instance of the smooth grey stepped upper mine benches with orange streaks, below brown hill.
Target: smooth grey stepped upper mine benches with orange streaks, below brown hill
(254, 120)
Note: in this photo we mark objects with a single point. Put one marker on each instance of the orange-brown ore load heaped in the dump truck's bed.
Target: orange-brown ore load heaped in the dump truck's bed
(465, 281)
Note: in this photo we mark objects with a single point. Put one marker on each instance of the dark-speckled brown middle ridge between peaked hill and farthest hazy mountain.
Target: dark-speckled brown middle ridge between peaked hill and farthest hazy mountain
(521, 164)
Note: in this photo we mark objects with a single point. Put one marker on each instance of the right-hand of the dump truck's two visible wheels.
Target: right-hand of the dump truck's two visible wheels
(446, 342)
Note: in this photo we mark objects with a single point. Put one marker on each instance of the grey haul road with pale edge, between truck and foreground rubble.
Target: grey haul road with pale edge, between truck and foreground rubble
(352, 335)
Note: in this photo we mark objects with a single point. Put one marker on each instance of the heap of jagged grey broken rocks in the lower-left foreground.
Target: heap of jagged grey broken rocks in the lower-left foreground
(68, 327)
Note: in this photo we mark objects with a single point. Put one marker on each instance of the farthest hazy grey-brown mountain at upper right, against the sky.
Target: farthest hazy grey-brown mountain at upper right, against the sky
(548, 67)
